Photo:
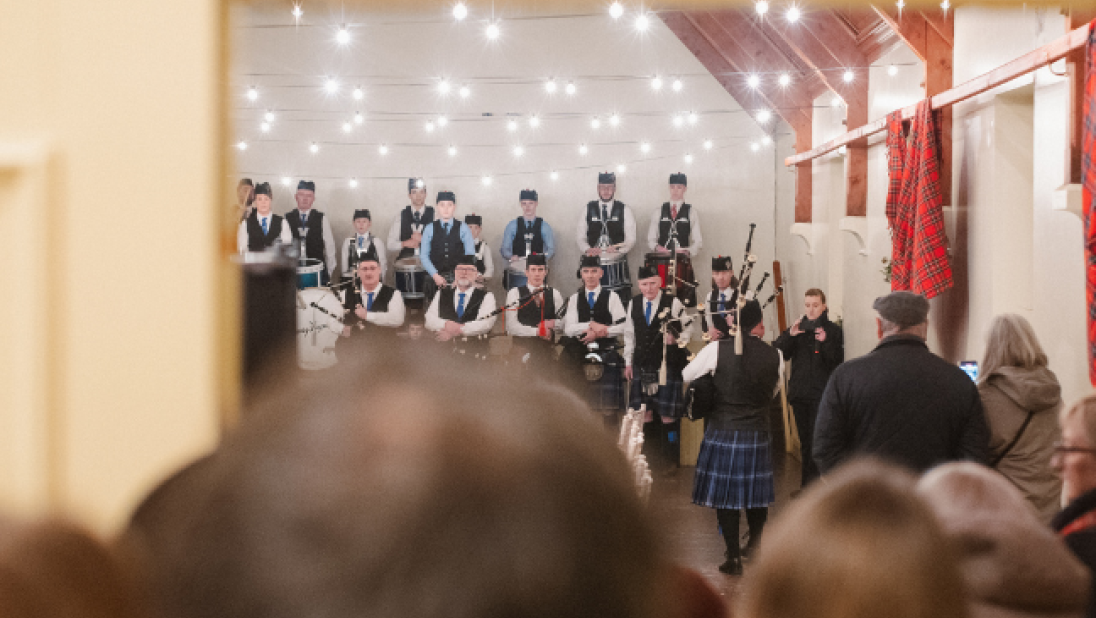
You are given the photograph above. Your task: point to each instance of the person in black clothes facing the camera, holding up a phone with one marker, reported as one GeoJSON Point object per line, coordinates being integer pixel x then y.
{"type": "Point", "coordinates": [816, 347]}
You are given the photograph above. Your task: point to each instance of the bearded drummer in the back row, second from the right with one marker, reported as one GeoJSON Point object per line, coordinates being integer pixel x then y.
{"type": "Point", "coordinates": [608, 231]}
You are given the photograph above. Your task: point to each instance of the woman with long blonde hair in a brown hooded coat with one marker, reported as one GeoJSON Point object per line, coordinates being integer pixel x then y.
{"type": "Point", "coordinates": [1022, 398]}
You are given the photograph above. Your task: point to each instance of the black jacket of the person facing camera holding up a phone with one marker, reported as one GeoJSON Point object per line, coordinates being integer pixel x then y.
{"type": "Point", "coordinates": [812, 361]}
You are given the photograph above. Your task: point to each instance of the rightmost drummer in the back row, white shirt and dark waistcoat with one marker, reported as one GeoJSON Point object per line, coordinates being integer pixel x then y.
{"type": "Point", "coordinates": [676, 230]}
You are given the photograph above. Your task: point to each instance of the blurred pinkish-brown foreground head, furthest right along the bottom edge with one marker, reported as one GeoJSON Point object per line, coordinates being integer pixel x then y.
{"type": "Point", "coordinates": [1011, 563]}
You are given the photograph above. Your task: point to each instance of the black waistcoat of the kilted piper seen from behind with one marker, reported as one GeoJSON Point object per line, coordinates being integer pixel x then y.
{"type": "Point", "coordinates": [745, 385]}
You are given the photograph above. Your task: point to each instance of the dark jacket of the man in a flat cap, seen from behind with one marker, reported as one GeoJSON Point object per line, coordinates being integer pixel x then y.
{"type": "Point", "coordinates": [904, 404]}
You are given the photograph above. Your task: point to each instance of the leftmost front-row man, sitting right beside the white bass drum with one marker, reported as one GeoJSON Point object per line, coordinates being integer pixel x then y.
{"type": "Point", "coordinates": [374, 311]}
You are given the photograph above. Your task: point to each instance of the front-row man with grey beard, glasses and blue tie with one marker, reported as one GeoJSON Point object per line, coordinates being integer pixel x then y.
{"type": "Point", "coordinates": [461, 311]}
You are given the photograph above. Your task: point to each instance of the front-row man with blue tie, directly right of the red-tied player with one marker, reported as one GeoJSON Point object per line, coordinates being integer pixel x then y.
{"type": "Point", "coordinates": [596, 315]}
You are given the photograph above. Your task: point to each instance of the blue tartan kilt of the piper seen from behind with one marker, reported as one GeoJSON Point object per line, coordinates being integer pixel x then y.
{"type": "Point", "coordinates": [735, 471]}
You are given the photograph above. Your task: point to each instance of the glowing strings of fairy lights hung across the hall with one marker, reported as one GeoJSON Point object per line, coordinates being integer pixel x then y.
{"type": "Point", "coordinates": [353, 87]}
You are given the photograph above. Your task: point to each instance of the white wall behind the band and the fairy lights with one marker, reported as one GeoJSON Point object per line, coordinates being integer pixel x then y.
{"type": "Point", "coordinates": [732, 186]}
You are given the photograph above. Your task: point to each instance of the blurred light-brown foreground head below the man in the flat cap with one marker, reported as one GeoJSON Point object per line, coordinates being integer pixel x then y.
{"type": "Point", "coordinates": [860, 545]}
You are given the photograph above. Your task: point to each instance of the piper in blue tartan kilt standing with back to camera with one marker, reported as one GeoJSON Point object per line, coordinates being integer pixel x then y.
{"type": "Point", "coordinates": [735, 470]}
